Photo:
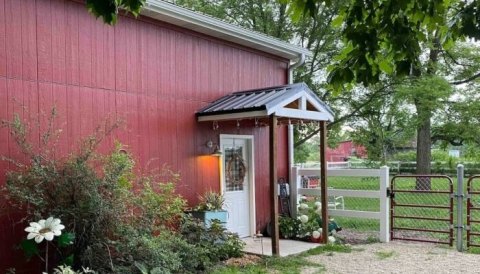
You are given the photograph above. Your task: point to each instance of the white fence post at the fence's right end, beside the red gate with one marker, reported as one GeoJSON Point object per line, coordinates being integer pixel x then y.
{"type": "Point", "coordinates": [384, 205]}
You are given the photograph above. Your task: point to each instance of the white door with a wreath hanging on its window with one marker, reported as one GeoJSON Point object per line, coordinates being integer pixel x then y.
{"type": "Point", "coordinates": [237, 183]}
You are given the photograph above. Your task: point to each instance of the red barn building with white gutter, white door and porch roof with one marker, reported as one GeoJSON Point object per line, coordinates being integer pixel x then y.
{"type": "Point", "coordinates": [156, 72]}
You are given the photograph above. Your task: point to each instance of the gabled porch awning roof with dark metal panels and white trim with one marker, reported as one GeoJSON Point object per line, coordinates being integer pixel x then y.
{"type": "Point", "coordinates": [294, 101]}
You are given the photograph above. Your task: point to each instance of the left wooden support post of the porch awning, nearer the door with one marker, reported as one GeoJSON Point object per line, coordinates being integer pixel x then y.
{"type": "Point", "coordinates": [273, 186]}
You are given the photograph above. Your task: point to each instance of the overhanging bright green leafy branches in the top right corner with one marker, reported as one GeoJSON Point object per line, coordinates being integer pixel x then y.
{"type": "Point", "coordinates": [386, 37]}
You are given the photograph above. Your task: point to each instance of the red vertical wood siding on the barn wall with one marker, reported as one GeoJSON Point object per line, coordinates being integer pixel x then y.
{"type": "Point", "coordinates": [151, 74]}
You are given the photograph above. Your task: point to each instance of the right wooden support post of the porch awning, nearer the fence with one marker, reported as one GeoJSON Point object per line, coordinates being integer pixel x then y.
{"type": "Point", "coordinates": [323, 180]}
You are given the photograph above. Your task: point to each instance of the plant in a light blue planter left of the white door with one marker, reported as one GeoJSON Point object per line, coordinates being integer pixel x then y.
{"type": "Point", "coordinates": [211, 208]}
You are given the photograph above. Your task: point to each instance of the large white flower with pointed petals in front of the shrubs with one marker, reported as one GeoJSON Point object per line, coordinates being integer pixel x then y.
{"type": "Point", "coordinates": [44, 229]}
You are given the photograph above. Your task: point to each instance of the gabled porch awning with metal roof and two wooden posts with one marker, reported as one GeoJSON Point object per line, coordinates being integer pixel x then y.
{"type": "Point", "coordinates": [293, 104]}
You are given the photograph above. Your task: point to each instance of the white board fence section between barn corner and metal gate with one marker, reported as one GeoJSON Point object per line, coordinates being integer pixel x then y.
{"type": "Point", "coordinates": [383, 174]}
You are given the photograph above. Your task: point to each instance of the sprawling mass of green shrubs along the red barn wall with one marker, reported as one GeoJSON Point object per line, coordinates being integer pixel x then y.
{"type": "Point", "coordinates": [123, 223]}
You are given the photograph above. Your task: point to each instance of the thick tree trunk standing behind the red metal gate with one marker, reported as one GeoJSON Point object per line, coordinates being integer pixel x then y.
{"type": "Point", "coordinates": [424, 145]}
